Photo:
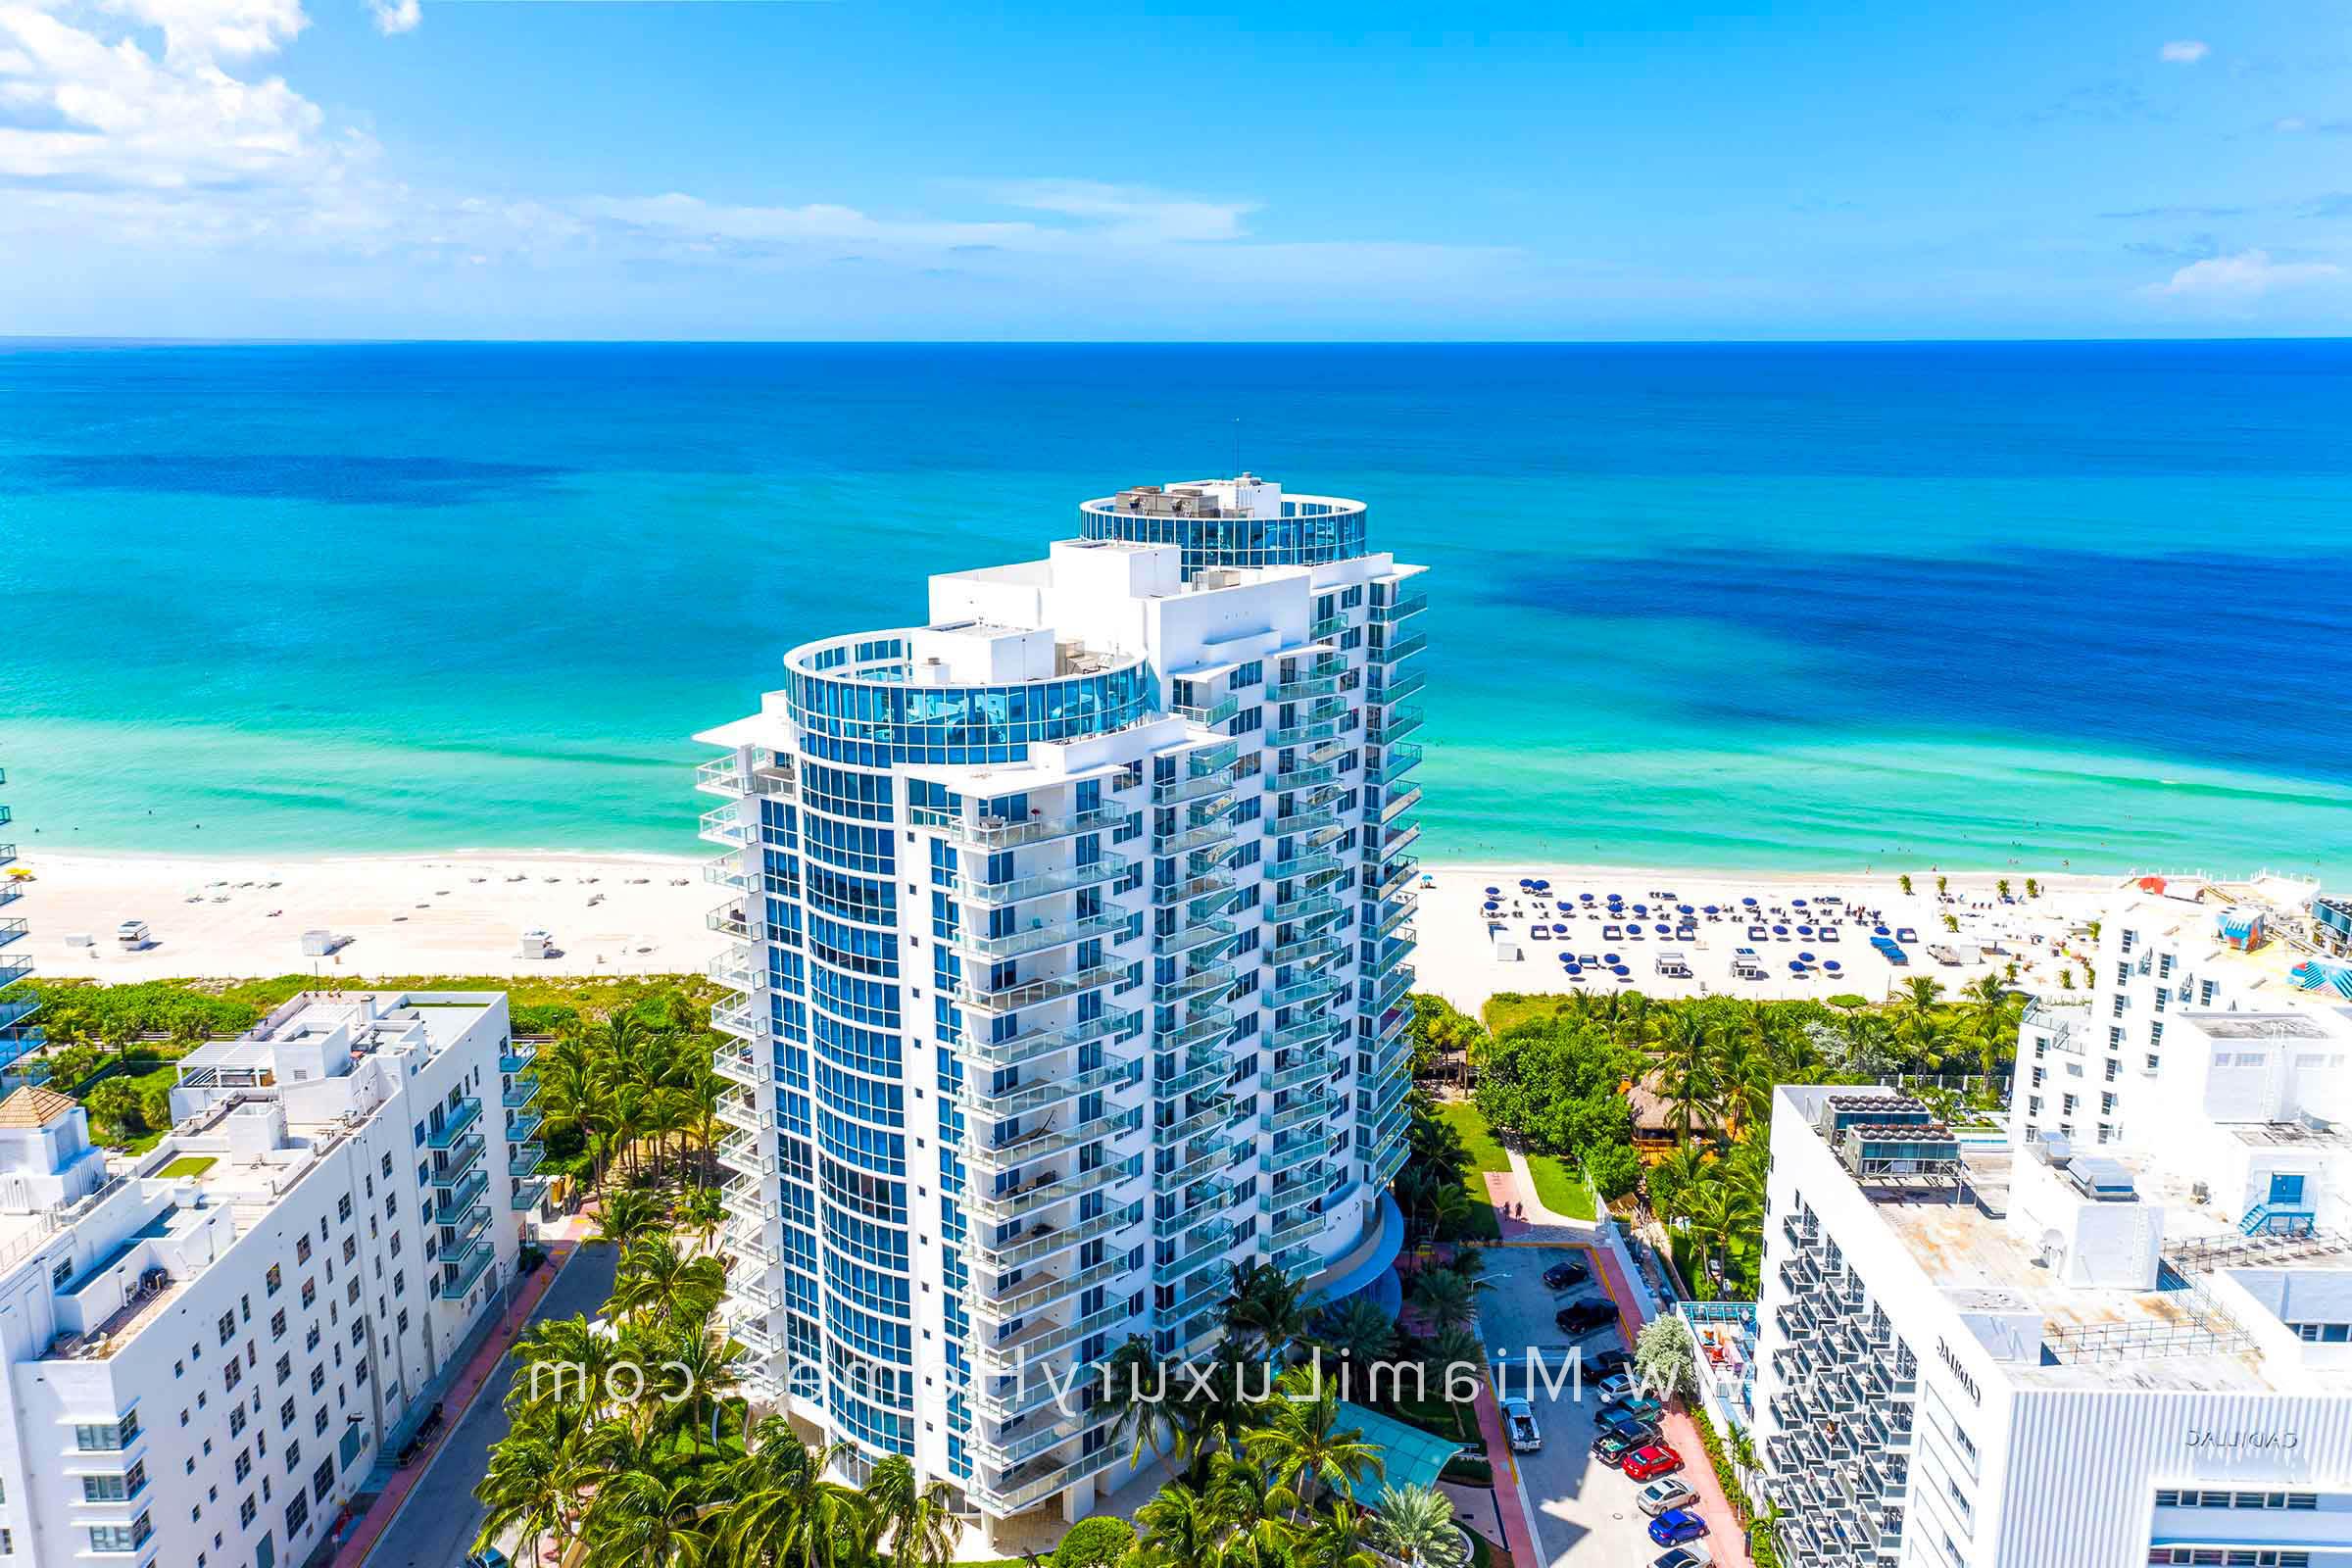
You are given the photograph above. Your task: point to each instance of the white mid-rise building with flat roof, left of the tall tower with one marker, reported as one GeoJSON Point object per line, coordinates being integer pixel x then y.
{"type": "Point", "coordinates": [213, 1343]}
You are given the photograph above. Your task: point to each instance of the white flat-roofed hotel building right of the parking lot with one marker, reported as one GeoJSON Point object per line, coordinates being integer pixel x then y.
{"type": "Point", "coordinates": [2118, 1336]}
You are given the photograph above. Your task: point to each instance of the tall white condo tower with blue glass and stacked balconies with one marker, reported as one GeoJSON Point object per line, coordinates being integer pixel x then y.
{"type": "Point", "coordinates": [1071, 942]}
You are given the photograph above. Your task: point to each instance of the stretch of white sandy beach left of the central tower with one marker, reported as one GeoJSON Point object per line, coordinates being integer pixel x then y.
{"type": "Point", "coordinates": [403, 916]}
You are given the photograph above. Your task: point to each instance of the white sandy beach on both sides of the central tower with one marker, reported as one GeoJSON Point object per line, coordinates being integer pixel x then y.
{"type": "Point", "coordinates": [465, 913]}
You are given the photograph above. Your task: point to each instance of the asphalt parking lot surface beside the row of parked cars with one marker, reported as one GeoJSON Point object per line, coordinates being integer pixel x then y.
{"type": "Point", "coordinates": [1584, 1510]}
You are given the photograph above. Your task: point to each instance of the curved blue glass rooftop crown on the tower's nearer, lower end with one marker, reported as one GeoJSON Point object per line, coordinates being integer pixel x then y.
{"type": "Point", "coordinates": [855, 704]}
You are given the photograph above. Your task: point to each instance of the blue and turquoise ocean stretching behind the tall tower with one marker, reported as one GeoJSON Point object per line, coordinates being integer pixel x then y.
{"type": "Point", "coordinates": [1763, 608]}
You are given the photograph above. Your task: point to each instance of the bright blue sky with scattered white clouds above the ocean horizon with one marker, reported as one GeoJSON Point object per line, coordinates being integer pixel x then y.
{"type": "Point", "coordinates": [740, 168]}
